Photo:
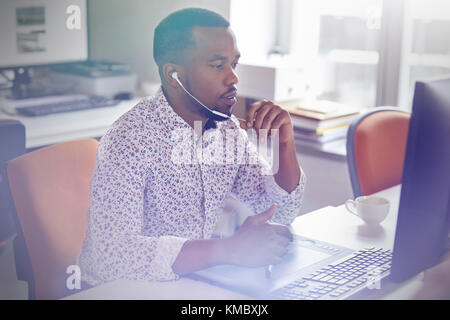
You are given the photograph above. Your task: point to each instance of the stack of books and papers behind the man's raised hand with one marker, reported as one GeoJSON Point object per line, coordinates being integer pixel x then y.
{"type": "Point", "coordinates": [321, 123]}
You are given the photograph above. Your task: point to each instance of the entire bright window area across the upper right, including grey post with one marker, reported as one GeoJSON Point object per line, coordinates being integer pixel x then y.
{"type": "Point", "coordinates": [360, 52]}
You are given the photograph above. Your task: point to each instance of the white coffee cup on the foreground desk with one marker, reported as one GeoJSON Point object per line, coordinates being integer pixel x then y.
{"type": "Point", "coordinates": [372, 210]}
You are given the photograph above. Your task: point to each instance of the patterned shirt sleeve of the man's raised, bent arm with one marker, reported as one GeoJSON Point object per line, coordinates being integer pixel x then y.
{"type": "Point", "coordinates": [255, 185]}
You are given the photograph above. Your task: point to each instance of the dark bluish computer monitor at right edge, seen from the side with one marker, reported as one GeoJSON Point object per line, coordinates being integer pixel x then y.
{"type": "Point", "coordinates": [424, 210]}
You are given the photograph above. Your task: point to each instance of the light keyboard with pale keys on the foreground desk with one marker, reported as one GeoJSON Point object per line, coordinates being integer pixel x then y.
{"type": "Point", "coordinates": [364, 268]}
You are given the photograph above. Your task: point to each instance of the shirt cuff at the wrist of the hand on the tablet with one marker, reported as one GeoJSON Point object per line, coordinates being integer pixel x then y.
{"type": "Point", "coordinates": [166, 252]}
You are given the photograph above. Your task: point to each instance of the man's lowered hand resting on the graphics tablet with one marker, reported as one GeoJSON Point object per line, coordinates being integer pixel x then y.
{"type": "Point", "coordinates": [258, 242]}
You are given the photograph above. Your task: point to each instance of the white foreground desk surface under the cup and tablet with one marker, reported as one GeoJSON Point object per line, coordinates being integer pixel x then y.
{"type": "Point", "coordinates": [331, 224]}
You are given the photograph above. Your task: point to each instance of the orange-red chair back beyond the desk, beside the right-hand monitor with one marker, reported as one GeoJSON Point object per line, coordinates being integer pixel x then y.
{"type": "Point", "coordinates": [376, 144]}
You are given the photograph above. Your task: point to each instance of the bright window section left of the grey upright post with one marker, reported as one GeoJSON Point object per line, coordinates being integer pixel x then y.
{"type": "Point", "coordinates": [344, 48]}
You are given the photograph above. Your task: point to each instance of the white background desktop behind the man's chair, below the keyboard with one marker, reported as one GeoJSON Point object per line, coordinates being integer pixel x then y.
{"type": "Point", "coordinates": [54, 128]}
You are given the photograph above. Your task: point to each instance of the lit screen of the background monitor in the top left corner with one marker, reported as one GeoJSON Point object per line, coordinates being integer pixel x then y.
{"type": "Point", "coordinates": [42, 32]}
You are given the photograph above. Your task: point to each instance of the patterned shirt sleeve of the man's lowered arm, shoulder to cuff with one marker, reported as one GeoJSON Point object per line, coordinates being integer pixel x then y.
{"type": "Point", "coordinates": [115, 246]}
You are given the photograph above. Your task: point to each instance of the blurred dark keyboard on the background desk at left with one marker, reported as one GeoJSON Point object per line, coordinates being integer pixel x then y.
{"type": "Point", "coordinates": [84, 103]}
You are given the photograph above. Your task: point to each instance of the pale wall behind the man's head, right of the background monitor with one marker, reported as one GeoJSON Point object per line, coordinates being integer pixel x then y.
{"type": "Point", "coordinates": [122, 30]}
